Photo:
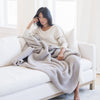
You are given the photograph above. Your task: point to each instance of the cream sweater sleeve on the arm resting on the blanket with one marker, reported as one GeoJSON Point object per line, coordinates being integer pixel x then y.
{"type": "Point", "coordinates": [60, 38]}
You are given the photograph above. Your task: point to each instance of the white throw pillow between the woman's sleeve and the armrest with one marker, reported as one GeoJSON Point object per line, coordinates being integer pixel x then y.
{"type": "Point", "coordinates": [71, 39]}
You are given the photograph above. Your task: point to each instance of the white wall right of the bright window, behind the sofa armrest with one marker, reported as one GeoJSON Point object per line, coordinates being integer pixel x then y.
{"type": "Point", "coordinates": [88, 22]}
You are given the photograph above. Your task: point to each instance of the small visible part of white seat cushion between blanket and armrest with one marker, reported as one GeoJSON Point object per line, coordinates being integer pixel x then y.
{"type": "Point", "coordinates": [85, 64]}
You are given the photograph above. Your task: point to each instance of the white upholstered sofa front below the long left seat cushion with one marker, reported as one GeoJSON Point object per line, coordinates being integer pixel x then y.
{"type": "Point", "coordinates": [35, 93]}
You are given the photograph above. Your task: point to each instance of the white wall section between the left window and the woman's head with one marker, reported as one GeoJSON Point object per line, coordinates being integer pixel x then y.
{"type": "Point", "coordinates": [26, 11]}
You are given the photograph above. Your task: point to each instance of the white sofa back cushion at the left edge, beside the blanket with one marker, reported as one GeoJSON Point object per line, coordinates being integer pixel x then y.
{"type": "Point", "coordinates": [9, 48]}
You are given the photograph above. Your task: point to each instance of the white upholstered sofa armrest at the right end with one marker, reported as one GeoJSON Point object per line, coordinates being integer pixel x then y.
{"type": "Point", "coordinates": [88, 51]}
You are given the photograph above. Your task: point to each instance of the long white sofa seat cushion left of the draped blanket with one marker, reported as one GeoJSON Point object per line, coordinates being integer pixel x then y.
{"type": "Point", "coordinates": [15, 78]}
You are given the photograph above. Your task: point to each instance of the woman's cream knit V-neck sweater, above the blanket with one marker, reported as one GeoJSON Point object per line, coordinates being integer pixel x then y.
{"type": "Point", "coordinates": [53, 36]}
